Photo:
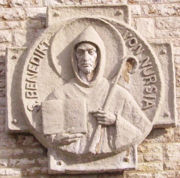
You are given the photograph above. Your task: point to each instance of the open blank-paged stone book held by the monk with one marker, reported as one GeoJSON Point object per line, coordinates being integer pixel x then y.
{"type": "Point", "coordinates": [68, 116]}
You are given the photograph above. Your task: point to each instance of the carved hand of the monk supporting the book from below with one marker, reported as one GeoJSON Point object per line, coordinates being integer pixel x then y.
{"type": "Point", "coordinates": [66, 138]}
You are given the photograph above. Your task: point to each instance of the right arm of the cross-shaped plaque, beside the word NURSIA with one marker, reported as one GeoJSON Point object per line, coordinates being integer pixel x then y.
{"type": "Point", "coordinates": [168, 115]}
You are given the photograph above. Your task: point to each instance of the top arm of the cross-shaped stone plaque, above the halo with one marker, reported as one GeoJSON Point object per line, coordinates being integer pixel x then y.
{"type": "Point", "coordinates": [120, 13]}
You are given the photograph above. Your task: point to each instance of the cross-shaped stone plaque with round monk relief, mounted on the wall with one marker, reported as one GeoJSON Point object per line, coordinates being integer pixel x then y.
{"type": "Point", "coordinates": [91, 90]}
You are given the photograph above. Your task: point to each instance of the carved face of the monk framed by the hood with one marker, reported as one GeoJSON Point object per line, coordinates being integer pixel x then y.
{"type": "Point", "coordinates": [86, 55]}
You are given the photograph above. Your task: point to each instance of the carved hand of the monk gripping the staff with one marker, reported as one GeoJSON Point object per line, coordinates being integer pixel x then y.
{"type": "Point", "coordinates": [104, 117]}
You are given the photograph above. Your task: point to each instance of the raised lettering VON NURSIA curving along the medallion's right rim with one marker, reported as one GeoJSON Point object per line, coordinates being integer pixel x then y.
{"type": "Point", "coordinates": [147, 71]}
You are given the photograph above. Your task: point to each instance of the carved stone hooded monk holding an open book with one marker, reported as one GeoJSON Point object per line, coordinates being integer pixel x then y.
{"type": "Point", "coordinates": [76, 109]}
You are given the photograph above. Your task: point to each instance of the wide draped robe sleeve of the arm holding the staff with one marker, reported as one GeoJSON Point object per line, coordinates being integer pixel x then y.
{"type": "Point", "coordinates": [132, 126]}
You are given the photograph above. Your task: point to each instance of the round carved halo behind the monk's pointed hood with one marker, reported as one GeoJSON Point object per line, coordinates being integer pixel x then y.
{"type": "Point", "coordinates": [62, 45]}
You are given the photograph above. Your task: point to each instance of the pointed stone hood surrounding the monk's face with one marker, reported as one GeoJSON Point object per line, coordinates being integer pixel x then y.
{"type": "Point", "coordinates": [91, 36]}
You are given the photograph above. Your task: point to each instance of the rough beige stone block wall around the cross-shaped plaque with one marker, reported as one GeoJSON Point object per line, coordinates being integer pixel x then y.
{"type": "Point", "coordinates": [21, 21]}
